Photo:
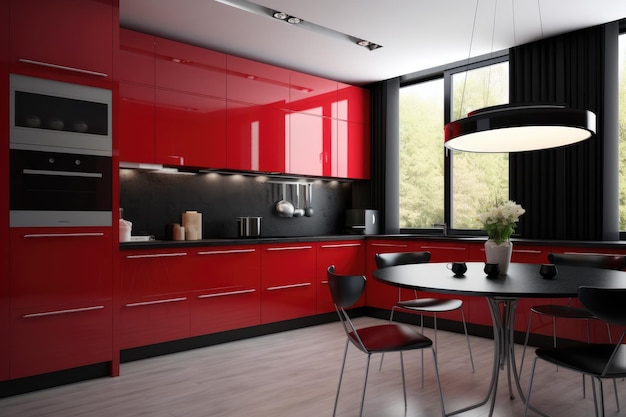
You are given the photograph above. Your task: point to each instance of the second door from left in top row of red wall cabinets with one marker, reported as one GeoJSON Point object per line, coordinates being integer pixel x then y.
{"type": "Point", "coordinates": [189, 68]}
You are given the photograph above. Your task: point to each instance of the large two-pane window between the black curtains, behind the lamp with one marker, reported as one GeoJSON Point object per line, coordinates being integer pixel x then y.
{"type": "Point", "coordinates": [473, 178]}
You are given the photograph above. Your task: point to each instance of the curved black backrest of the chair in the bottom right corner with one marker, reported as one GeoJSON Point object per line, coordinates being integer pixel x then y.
{"type": "Point", "coordinates": [607, 304]}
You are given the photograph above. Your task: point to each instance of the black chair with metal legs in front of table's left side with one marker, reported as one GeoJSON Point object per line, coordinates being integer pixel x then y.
{"type": "Point", "coordinates": [345, 290]}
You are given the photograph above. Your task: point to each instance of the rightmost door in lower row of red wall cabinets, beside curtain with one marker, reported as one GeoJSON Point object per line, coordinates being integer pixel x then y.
{"type": "Point", "coordinates": [352, 150]}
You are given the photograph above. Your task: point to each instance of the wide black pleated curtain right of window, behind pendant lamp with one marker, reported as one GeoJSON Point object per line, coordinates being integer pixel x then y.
{"type": "Point", "coordinates": [569, 193]}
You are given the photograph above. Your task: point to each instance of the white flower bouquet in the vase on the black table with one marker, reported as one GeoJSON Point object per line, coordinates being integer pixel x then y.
{"type": "Point", "coordinates": [500, 219]}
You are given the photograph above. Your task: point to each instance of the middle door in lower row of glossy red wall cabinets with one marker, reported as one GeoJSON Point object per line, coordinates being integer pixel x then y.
{"type": "Point", "coordinates": [257, 138]}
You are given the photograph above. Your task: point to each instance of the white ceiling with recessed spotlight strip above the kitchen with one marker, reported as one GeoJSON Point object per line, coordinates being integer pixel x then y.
{"type": "Point", "coordinates": [415, 34]}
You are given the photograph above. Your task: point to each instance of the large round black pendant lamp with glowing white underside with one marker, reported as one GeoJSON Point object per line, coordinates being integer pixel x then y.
{"type": "Point", "coordinates": [519, 127]}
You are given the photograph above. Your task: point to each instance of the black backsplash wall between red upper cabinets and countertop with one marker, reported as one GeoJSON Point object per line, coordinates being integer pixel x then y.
{"type": "Point", "coordinates": [151, 200]}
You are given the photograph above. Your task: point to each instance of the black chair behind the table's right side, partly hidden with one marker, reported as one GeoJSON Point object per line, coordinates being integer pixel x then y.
{"type": "Point", "coordinates": [557, 311]}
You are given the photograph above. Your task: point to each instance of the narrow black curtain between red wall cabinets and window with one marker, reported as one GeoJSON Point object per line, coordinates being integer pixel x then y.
{"type": "Point", "coordinates": [385, 151]}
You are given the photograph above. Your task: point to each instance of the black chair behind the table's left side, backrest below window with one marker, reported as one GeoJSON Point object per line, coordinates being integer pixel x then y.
{"type": "Point", "coordinates": [421, 305]}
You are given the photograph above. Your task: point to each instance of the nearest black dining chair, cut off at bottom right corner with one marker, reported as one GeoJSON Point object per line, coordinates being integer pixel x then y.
{"type": "Point", "coordinates": [599, 361]}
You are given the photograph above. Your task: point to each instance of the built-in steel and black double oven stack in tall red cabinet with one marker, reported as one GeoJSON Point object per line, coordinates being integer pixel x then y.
{"type": "Point", "coordinates": [60, 154]}
